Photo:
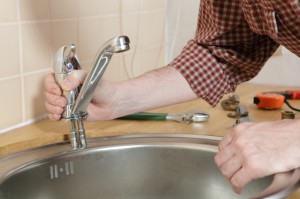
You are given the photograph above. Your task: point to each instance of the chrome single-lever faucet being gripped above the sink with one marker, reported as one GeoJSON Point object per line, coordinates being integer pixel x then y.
{"type": "Point", "coordinates": [78, 99]}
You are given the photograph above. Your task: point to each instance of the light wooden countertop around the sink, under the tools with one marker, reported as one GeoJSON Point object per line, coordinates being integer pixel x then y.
{"type": "Point", "coordinates": [46, 132]}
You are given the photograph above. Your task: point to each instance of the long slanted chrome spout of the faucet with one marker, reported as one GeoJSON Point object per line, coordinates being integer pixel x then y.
{"type": "Point", "coordinates": [103, 57]}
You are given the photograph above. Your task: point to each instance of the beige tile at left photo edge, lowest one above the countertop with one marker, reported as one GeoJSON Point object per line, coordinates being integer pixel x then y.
{"type": "Point", "coordinates": [11, 103]}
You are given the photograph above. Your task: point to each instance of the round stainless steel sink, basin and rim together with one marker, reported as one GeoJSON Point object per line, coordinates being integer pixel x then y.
{"type": "Point", "coordinates": [149, 166]}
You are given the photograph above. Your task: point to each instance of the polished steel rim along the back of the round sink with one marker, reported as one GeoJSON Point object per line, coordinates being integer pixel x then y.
{"type": "Point", "coordinates": [12, 163]}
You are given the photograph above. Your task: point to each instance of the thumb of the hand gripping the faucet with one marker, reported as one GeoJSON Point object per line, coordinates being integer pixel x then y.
{"type": "Point", "coordinates": [73, 80]}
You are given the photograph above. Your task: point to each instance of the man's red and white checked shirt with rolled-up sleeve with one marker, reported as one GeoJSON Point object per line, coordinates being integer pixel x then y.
{"type": "Point", "coordinates": [234, 39]}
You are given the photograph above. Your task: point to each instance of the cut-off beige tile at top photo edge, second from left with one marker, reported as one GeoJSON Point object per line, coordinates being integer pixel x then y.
{"type": "Point", "coordinates": [34, 10]}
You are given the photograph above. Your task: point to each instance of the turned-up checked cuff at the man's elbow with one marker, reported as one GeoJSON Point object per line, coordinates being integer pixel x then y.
{"type": "Point", "coordinates": [205, 75]}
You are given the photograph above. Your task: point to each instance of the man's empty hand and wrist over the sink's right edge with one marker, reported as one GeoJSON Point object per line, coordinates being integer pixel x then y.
{"type": "Point", "coordinates": [255, 150]}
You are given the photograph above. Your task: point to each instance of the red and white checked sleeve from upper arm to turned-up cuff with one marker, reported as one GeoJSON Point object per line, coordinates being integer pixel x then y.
{"type": "Point", "coordinates": [224, 52]}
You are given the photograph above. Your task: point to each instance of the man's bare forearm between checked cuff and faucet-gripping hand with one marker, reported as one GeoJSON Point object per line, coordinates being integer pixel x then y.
{"type": "Point", "coordinates": [157, 88]}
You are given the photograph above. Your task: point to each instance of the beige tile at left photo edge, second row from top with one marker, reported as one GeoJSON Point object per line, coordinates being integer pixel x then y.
{"type": "Point", "coordinates": [9, 51]}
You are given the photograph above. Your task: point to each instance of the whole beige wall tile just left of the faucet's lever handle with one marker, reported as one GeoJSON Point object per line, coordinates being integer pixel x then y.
{"type": "Point", "coordinates": [36, 46]}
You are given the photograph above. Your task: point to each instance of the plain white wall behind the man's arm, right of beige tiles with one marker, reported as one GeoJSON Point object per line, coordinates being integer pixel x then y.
{"type": "Point", "coordinates": [181, 21]}
